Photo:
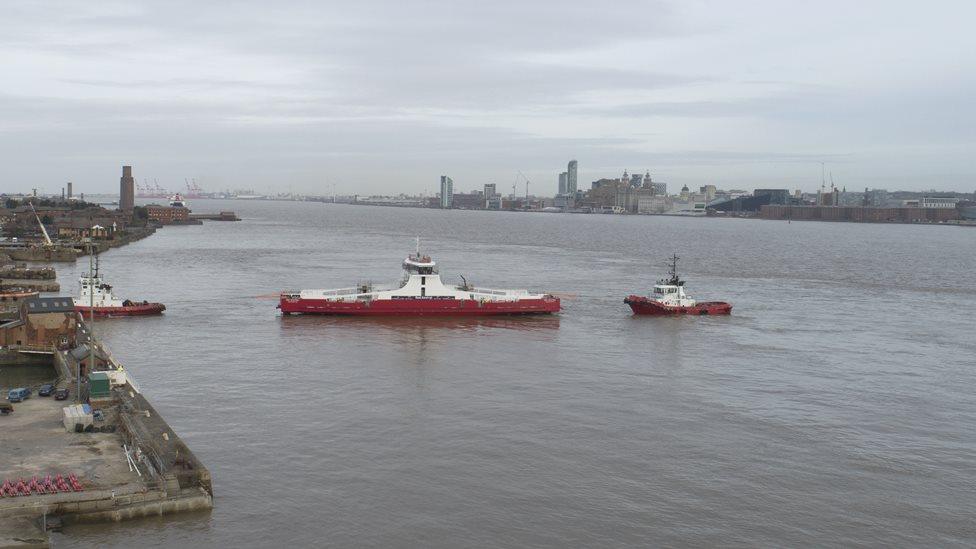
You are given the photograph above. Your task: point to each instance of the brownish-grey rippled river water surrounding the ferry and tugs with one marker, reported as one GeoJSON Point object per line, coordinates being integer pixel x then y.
{"type": "Point", "coordinates": [834, 407]}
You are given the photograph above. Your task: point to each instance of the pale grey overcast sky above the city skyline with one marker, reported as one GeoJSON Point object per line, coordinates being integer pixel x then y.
{"type": "Point", "coordinates": [385, 96]}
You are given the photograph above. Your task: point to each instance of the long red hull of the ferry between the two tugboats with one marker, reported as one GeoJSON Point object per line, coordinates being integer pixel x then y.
{"type": "Point", "coordinates": [419, 307]}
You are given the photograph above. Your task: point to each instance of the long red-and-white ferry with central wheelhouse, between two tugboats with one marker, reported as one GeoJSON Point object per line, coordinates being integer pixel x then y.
{"type": "Point", "coordinates": [420, 293]}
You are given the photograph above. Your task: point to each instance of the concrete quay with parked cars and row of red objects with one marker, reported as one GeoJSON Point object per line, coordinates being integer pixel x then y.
{"type": "Point", "coordinates": [163, 477]}
